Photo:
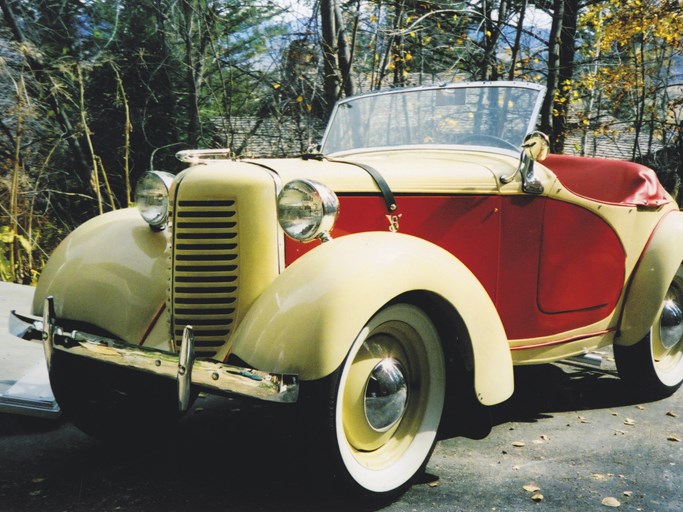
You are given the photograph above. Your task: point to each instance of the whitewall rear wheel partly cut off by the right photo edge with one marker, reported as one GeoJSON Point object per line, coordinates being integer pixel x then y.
{"type": "Point", "coordinates": [654, 365]}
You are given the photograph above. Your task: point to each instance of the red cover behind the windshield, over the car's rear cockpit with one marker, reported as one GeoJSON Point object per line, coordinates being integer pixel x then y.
{"type": "Point", "coordinates": [608, 181]}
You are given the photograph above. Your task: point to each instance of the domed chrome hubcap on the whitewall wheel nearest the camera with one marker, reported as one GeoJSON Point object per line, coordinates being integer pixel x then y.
{"type": "Point", "coordinates": [386, 395]}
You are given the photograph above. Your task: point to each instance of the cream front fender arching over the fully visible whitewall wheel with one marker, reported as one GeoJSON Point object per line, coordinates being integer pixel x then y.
{"type": "Point", "coordinates": [307, 320]}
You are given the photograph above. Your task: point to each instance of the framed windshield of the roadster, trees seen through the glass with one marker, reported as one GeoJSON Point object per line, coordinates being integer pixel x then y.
{"type": "Point", "coordinates": [493, 114]}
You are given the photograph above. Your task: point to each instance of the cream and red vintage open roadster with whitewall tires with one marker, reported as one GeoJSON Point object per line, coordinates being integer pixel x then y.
{"type": "Point", "coordinates": [429, 243]}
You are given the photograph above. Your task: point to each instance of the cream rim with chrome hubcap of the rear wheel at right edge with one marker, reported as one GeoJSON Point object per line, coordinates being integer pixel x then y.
{"type": "Point", "coordinates": [667, 346]}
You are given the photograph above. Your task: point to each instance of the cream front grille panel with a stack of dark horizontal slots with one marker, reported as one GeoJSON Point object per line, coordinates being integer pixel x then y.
{"type": "Point", "coordinates": [205, 271]}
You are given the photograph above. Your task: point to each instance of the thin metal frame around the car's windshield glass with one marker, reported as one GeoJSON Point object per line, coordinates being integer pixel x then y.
{"type": "Point", "coordinates": [539, 89]}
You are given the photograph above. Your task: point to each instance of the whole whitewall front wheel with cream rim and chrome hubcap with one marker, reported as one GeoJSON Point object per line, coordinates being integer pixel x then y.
{"type": "Point", "coordinates": [384, 403]}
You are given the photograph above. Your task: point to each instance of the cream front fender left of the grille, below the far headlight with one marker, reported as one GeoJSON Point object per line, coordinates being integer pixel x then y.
{"type": "Point", "coordinates": [111, 272]}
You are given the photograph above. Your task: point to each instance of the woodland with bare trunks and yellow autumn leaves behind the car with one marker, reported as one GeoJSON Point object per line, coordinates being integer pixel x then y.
{"type": "Point", "coordinates": [95, 92]}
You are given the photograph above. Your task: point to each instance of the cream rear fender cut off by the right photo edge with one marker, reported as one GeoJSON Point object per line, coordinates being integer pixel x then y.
{"type": "Point", "coordinates": [651, 279]}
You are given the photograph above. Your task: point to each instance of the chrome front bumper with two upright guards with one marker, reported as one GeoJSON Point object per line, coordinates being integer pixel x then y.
{"type": "Point", "coordinates": [183, 367]}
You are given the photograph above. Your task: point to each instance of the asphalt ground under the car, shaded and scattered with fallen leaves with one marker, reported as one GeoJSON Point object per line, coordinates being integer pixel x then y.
{"type": "Point", "coordinates": [571, 432]}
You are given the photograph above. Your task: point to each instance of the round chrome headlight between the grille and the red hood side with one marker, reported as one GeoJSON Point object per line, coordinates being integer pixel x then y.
{"type": "Point", "coordinates": [307, 210]}
